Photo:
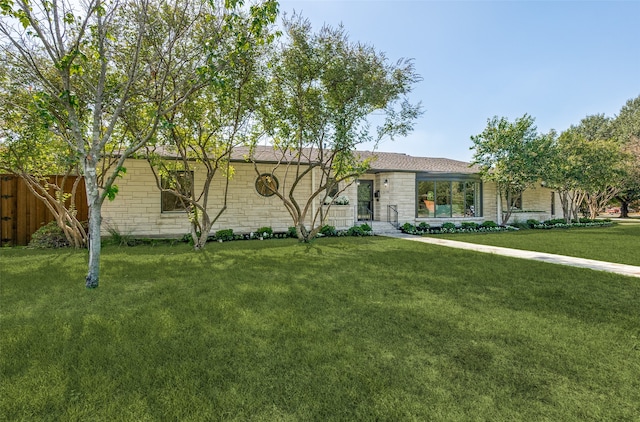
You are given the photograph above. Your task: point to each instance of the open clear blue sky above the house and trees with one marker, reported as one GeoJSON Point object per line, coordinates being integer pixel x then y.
{"type": "Point", "coordinates": [558, 61]}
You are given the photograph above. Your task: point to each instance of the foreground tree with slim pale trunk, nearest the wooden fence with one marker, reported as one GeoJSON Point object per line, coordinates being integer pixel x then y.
{"type": "Point", "coordinates": [90, 62]}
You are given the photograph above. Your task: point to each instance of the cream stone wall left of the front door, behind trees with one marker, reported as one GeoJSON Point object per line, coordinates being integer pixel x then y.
{"type": "Point", "coordinates": [136, 209]}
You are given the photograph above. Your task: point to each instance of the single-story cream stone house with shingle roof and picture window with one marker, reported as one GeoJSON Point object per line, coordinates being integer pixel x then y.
{"type": "Point", "coordinates": [398, 188]}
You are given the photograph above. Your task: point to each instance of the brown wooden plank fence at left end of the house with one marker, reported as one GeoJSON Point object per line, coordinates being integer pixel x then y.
{"type": "Point", "coordinates": [21, 213]}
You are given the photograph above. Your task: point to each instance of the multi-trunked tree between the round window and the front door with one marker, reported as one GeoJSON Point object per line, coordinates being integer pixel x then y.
{"type": "Point", "coordinates": [324, 90]}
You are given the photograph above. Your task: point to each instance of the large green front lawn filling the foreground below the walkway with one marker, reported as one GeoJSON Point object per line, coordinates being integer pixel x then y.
{"type": "Point", "coordinates": [345, 329]}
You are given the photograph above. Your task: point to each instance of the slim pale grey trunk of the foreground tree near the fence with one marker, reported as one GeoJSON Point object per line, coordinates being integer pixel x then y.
{"type": "Point", "coordinates": [95, 220]}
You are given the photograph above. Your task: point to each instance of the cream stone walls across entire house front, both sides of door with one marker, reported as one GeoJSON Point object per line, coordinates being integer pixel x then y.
{"type": "Point", "coordinates": [137, 207]}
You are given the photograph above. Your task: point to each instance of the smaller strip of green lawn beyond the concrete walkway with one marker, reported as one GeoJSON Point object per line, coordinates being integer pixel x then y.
{"type": "Point", "coordinates": [618, 243]}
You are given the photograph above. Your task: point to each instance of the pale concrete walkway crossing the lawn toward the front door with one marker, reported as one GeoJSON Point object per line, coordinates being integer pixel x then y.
{"type": "Point", "coordinates": [628, 270]}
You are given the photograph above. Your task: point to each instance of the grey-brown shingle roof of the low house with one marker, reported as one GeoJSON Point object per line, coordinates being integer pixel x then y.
{"type": "Point", "coordinates": [381, 162]}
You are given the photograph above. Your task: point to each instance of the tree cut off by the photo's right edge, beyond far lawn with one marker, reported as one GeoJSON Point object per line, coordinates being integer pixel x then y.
{"type": "Point", "coordinates": [627, 132]}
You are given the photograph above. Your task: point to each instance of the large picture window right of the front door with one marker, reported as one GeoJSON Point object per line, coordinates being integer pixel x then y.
{"type": "Point", "coordinates": [448, 198]}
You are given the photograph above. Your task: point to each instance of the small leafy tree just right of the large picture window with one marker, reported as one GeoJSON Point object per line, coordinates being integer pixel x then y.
{"type": "Point", "coordinates": [512, 155]}
